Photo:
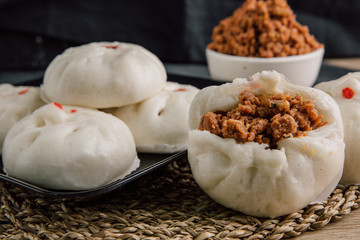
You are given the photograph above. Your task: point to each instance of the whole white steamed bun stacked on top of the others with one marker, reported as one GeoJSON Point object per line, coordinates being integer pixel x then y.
{"type": "Point", "coordinates": [103, 75]}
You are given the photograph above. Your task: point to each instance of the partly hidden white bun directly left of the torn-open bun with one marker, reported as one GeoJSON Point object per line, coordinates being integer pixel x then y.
{"type": "Point", "coordinates": [160, 123]}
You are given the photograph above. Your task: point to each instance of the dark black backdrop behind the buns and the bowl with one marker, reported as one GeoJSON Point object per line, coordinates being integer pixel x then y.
{"type": "Point", "coordinates": [33, 32]}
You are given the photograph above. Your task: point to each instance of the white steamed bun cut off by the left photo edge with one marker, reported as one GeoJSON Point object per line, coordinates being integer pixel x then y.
{"type": "Point", "coordinates": [16, 102]}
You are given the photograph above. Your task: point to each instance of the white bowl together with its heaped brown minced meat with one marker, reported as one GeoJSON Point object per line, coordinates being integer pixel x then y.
{"type": "Point", "coordinates": [264, 35]}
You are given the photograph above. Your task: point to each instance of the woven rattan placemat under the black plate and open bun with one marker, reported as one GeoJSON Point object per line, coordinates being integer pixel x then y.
{"type": "Point", "coordinates": [166, 204]}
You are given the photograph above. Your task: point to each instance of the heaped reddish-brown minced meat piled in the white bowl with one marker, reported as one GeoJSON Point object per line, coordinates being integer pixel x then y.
{"type": "Point", "coordinates": [263, 28]}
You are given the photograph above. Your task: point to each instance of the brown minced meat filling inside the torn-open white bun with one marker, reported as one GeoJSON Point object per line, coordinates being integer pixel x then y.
{"type": "Point", "coordinates": [264, 119]}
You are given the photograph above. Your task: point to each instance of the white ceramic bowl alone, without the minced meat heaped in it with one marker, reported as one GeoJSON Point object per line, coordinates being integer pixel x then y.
{"type": "Point", "coordinates": [300, 69]}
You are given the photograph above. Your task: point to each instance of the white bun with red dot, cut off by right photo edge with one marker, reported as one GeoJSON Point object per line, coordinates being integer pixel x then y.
{"type": "Point", "coordinates": [350, 110]}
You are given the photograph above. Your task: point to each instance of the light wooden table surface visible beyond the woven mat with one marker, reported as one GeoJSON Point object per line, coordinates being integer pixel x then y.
{"type": "Point", "coordinates": [348, 228]}
